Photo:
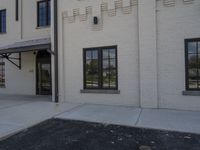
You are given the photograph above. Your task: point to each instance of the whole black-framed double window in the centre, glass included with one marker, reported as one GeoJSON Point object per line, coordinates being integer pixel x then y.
{"type": "Point", "coordinates": [100, 68]}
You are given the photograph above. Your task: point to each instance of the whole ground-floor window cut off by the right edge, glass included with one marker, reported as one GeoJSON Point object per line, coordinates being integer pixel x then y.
{"type": "Point", "coordinates": [192, 48]}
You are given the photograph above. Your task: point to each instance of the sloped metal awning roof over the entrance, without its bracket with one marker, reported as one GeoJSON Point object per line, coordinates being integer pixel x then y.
{"type": "Point", "coordinates": [25, 46]}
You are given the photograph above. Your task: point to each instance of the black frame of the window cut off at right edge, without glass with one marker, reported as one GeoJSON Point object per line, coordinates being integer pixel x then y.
{"type": "Point", "coordinates": [187, 64]}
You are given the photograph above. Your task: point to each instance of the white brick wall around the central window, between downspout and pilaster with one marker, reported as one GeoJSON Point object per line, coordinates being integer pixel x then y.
{"type": "Point", "coordinates": [119, 29]}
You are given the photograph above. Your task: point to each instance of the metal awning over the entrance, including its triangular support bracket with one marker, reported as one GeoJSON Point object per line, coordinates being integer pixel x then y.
{"type": "Point", "coordinates": [24, 46]}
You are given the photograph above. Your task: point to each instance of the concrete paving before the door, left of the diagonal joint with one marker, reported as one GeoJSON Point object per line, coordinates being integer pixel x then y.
{"type": "Point", "coordinates": [20, 112]}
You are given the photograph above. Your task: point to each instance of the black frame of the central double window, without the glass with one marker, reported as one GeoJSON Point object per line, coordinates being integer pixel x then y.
{"type": "Point", "coordinates": [100, 67]}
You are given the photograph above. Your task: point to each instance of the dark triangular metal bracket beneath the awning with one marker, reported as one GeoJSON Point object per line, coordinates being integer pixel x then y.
{"type": "Point", "coordinates": [10, 59]}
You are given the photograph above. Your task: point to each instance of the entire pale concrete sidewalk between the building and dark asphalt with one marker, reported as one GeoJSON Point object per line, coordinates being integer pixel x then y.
{"type": "Point", "coordinates": [20, 112]}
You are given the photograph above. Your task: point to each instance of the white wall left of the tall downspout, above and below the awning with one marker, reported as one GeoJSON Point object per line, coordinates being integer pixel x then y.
{"type": "Point", "coordinates": [20, 24]}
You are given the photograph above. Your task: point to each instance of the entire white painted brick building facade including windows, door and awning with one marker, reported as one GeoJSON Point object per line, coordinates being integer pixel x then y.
{"type": "Point", "coordinates": [142, 53]}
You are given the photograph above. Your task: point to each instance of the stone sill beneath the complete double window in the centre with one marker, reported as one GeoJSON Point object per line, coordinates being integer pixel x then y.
{"type": "Point", "coordinates": [100, 91]}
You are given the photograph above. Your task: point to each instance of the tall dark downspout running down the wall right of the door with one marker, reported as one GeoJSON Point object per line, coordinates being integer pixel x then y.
{"type": "Point", "coordinates": [56, 49]}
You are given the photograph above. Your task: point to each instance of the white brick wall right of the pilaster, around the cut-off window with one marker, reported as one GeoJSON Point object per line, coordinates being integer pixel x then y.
{"type": "Point", "coordinates": [174, 24]}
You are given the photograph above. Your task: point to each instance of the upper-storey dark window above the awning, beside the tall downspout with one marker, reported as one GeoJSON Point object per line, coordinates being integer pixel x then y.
{"type": "Point", "coordinates": [44, 13]}
